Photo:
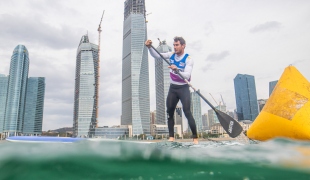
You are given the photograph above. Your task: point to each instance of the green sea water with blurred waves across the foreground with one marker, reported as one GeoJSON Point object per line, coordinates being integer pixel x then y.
{"type": "Point", "coordinates": [120, 160]}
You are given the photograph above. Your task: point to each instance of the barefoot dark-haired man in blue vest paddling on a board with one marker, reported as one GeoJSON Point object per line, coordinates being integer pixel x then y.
{"type": "Point", "coordinates": [179, 89]}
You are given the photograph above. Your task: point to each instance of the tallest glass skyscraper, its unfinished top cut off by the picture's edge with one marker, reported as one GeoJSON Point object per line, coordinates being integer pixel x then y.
{"type": "Point", "coordinates": [135, 69]}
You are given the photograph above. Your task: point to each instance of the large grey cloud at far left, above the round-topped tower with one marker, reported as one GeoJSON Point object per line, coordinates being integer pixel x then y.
{"type": "Point", "coordinates": [15, 29]}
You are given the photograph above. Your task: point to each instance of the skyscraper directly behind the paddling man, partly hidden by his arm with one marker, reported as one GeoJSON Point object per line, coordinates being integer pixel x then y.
{"type": "Point", "coordinates": [162, 83]}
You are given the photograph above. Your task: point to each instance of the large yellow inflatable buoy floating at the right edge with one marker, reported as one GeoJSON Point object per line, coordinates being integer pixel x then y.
{"type": "Point", "coordinates": [287, 111]}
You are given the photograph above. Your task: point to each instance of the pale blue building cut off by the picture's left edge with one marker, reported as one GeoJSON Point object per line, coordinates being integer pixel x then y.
{"type": "Point", "coordinates": [3, 94]}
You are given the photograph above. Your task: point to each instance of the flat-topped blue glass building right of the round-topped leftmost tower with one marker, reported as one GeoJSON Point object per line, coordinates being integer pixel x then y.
{"type": "Point", "coordinates": [33, 118]}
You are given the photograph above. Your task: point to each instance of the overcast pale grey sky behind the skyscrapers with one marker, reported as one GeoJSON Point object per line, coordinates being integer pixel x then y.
{"type": "Point", "coordinates": [224, 38]}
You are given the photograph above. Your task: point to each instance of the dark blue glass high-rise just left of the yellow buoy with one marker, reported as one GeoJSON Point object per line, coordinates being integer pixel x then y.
{"type": "Point", "coordinates": [246, 98]}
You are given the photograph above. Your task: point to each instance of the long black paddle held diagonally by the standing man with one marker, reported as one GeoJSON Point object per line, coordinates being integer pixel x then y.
{"type": "Point", "coordinates": [230, 125]}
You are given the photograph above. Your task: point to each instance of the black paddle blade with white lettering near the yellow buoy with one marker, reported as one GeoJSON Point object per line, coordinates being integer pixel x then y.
{"type": "Point", "coordinates": [230, 125]}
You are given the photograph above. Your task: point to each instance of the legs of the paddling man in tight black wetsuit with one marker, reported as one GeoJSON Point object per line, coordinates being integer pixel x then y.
{"type": "Point", "coordinates": [176, 93]}
